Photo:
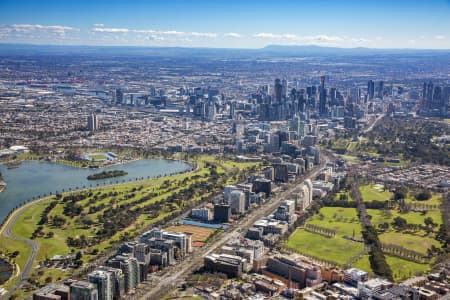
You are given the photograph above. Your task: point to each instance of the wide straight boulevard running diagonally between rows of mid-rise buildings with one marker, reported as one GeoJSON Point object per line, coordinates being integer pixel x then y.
{"type": "Point", "coordinates": [195, 260]}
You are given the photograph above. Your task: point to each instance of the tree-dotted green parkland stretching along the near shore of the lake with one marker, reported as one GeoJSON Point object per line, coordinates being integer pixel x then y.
{"type": "Point", "coordinates": [162, 189]}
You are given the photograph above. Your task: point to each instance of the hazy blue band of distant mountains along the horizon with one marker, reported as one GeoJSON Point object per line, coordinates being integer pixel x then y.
{"type": "Point", "coordinates": [214, 53]}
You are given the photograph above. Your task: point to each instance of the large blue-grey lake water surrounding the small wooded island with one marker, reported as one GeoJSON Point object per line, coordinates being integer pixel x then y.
{"type": "Point", "coordinates": [34, 179]}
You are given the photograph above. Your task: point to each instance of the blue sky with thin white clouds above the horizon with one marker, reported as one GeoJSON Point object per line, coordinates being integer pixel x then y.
{"type": "Point", "coordinates": [421, 24]}
